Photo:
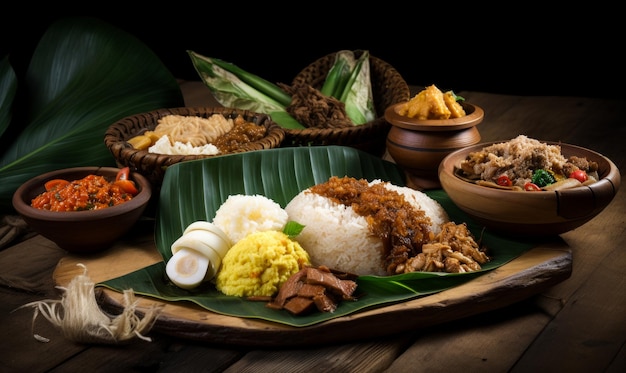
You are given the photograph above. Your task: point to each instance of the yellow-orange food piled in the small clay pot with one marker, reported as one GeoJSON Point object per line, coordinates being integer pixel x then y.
{"type": "Point", "coordinates": [432, 103]}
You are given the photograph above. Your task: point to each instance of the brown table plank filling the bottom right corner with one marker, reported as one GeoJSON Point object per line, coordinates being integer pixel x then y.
{"type": "Point", "coordinates": [591, 329]}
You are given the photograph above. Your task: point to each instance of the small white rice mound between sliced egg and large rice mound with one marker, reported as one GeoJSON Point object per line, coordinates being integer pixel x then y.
{"type": "Point", "coordinates": [241, 215]}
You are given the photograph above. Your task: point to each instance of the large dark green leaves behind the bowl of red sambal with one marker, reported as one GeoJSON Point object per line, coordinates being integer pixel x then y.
{"type": "Point", "coordinates": [83, 76]}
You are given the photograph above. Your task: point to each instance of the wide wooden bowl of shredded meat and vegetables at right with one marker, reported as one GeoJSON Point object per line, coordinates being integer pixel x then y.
{"type": "Point", "coordinates": [511, 192]}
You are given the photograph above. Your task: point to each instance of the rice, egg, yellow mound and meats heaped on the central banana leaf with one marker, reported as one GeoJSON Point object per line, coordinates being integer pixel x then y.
{"type": "Point", "coordinates": [377, 229]}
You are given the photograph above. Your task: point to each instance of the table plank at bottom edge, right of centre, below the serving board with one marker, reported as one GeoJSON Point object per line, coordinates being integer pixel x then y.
{"type": "Point", "coordinates": [490, 342]}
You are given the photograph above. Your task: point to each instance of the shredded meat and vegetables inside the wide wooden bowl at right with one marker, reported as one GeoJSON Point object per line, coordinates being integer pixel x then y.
{"type": "Point", "coordinates": [527, 164]}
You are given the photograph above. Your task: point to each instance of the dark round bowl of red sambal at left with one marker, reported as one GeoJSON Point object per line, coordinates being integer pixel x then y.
{"type": "Point", "coordinates": [88, 222]}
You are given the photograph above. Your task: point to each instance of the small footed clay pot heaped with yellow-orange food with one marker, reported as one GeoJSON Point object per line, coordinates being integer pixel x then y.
{"type": "Point", "coordinates": [425, 129]}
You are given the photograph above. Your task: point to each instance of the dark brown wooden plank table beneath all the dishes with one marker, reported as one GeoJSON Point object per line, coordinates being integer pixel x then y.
{"type": "Point", "coordinates": [577, 325]}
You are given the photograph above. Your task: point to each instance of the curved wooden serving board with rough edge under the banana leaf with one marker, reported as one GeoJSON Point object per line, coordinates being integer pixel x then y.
{"type": "Point", "coordinates": [529, 274]}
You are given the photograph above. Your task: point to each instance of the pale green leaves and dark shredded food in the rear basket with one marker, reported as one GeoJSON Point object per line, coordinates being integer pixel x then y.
{"type": "Point", "coordinates": [345, 98]}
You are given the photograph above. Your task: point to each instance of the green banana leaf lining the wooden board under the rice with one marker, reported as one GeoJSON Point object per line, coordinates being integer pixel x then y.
{"type": "Point", "coordinates": [195, 190]}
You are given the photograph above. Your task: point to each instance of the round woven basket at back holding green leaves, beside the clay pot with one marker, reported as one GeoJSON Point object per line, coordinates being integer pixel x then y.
{"type": "Point", "coordinates": [388, 87]}
